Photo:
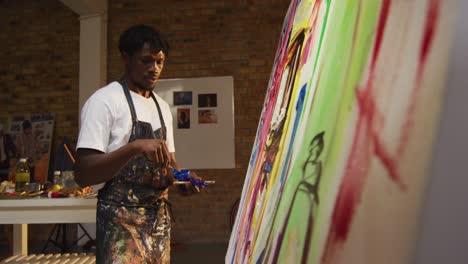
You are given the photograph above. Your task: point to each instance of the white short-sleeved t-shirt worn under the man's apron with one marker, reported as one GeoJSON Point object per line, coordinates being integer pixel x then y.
{"type": "Point", "coordinates": [106, 121]}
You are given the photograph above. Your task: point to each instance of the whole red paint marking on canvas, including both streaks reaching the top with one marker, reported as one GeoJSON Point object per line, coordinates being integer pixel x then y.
{"type": "Point", "coordinates": [367, 139]}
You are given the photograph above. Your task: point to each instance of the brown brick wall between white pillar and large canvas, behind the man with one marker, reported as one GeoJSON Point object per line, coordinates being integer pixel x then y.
{"type": "Point", "coordinates": [211, 38]}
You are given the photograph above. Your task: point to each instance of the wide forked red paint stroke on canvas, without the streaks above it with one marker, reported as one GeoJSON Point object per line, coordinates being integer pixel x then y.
{"type": "Point", "coordinates": [365, 143]}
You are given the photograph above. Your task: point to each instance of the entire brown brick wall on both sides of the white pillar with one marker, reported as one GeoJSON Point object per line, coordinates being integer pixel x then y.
{"type": "Point", "coordinates": [39, 72]}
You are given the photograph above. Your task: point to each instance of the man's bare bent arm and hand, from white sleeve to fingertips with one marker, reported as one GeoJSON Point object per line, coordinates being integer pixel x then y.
{"type": "Point", "coordinates": [94, 167]}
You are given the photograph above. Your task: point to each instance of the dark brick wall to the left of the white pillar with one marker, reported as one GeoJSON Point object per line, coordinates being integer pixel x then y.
{"type": "Point", "coordinates": [39, 45]}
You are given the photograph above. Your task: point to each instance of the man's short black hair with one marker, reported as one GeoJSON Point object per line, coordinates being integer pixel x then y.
{"type": "Point", "coordinates": [136, 36]}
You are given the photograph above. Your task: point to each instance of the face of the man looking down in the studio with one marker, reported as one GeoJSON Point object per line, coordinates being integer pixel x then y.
{"type": "Point", "coordinates": [144, 67]}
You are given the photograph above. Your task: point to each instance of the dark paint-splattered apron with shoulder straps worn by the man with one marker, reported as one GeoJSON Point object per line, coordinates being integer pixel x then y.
{"type": "Point", "coordinates": [133, 220]}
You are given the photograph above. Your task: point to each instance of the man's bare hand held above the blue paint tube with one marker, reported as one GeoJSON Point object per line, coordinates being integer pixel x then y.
{"type": "Point", "coordinates": [153, 149]}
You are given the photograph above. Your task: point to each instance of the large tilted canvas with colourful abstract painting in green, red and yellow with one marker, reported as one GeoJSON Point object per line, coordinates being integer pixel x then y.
{"type": "Point", "coordinates": [340, 159]}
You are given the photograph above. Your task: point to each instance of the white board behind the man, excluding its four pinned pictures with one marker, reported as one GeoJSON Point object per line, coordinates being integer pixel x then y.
{"type": "Point", "coordinates": [217, 139]}
